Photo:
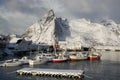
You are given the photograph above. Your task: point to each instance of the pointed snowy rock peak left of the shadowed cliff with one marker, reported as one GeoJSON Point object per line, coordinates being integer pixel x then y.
{"type": "Point", "coordinates": [43, 30]}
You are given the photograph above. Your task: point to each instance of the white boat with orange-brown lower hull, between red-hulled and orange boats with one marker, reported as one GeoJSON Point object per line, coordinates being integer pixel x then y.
{"type": "Point", "coordinates": [78, 56]}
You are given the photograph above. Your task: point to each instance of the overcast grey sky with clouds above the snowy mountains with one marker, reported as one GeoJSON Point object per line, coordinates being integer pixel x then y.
{"type": "Point", "coordinates": [17, 15]}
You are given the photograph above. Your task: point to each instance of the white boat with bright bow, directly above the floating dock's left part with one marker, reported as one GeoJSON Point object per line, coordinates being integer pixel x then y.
{"type": "Point", "coordinates": [38, 60]}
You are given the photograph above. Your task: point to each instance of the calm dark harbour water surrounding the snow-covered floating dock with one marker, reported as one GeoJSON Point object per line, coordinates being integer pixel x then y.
{"type": "Point", "coordinates": [108, 68]}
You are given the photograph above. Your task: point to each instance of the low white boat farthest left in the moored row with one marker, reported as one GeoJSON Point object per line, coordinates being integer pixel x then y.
{"type": "Point", "coordinates": [10, 63]}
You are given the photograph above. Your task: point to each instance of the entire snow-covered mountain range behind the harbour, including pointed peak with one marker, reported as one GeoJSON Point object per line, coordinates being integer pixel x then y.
{"type": "Point", "coordinates": [74, 32]}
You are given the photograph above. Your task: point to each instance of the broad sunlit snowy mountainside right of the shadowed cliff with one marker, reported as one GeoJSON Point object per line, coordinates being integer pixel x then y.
{"type": "Point", "coordinates": [94, 33]}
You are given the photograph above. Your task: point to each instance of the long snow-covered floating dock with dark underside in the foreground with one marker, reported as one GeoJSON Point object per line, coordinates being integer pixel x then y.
{"type": "Point", "coordinates": [51, 72]}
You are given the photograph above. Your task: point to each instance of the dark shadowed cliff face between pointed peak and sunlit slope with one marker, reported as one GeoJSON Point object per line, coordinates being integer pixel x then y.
{"type": "Point", "coordinates": [62, 29]}
